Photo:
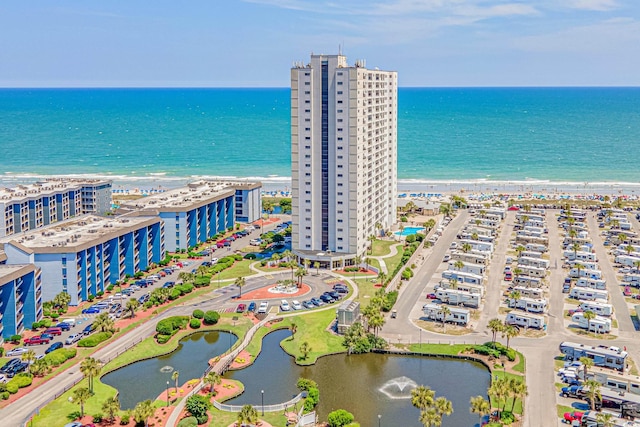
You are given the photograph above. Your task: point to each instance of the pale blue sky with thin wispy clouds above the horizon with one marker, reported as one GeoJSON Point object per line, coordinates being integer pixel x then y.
{"type": "Point", "coordinates": [222, 43]}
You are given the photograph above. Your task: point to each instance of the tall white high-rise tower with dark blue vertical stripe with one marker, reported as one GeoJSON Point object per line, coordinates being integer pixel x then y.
{"type": "Point", "coordinates": [344, 157]}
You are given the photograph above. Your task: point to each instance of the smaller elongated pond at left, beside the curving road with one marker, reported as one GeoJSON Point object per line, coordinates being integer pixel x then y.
{"type": "Point", "coordinates": [148, 378]}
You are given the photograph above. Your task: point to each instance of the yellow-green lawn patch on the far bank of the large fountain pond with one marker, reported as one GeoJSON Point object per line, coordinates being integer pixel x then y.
{"type": "Point", "coordinates": [312, 329]}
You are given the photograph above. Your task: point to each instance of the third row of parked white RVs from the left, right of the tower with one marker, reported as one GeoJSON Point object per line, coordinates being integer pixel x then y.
{"type": "Point", "coordinates": [584, 281]}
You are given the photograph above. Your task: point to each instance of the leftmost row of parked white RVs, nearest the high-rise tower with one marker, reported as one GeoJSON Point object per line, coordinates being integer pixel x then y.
{"type": "Point", "coordinates": [463, 281]}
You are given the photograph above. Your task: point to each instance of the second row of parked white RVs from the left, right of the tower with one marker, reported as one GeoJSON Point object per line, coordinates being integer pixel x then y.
{"type": "Point", "coordinates": [526, 296]}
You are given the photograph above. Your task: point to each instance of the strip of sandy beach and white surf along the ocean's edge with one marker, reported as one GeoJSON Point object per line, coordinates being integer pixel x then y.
{"type": "Point", "coordinates": [153, 183]}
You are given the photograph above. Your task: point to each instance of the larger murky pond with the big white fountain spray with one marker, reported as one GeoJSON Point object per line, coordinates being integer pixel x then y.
{"type": "Point", "coordinates": [366, 385]}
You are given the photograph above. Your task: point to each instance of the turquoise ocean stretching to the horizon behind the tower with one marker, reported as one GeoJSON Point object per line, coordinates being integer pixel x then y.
{"type": "Point", "coordinates": [581, 137]}
